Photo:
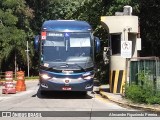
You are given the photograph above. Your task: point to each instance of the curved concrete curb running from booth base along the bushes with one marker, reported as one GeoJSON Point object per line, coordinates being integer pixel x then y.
{"type": "Point", "coordinates": [137, 106]}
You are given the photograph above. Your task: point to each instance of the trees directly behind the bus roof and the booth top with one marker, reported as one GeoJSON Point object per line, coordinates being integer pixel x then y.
{"type": "Point", "coordinates": [87, 10]}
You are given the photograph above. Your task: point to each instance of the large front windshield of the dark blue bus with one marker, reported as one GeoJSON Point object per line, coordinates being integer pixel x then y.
{"type": "Point", "coordinates": [67, 47]}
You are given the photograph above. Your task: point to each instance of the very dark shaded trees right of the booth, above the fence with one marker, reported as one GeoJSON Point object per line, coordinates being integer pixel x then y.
{"type": "Point", "coordinates": [149, 24]}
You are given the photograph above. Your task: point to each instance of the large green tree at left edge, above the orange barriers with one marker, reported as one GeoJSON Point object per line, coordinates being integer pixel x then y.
{"type": "Point", "coordinates": [15, 30]}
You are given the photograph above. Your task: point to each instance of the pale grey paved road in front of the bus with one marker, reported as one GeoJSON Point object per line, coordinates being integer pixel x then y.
{"type": "Point", "coordinates": [31, 103]}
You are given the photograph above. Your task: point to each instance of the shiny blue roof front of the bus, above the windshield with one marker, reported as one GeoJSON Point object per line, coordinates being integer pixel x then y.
{"type": "Point", "coordinates": [66, 25]}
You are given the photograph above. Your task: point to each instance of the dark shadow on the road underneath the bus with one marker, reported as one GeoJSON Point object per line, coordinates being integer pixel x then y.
{"type": "Point", "coordinates": [62, 95]}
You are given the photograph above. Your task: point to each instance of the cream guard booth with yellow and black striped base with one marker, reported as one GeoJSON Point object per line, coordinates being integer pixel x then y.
{"type": "Point", "coordinates": [123, 44]}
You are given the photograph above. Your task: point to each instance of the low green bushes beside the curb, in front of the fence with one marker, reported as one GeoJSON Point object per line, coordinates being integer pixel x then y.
{"type": "Point", "coordinates": [144, 92]}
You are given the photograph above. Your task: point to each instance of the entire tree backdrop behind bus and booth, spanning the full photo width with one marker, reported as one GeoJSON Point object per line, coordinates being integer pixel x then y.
{"type": "Point", "coordinates": [27, 16]}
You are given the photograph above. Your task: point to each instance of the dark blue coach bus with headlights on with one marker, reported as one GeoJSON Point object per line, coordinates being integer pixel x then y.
{"type": "Point", "coordinates": [66, 49]}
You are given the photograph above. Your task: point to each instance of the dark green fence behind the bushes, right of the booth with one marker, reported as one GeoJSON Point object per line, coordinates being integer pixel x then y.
{"type": "Point", "coordinates": [143, 68]}
